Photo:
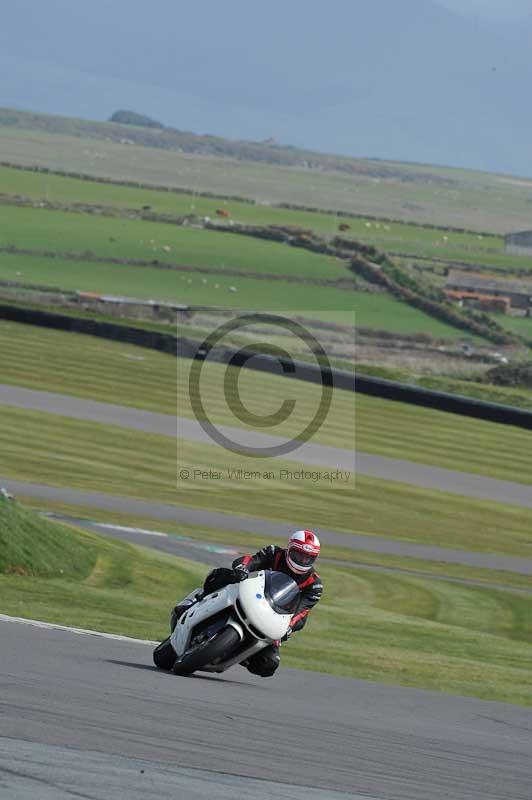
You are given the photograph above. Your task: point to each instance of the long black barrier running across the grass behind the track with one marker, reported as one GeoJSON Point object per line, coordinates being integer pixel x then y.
{"type": "Point", "coordinates": [340, 379]}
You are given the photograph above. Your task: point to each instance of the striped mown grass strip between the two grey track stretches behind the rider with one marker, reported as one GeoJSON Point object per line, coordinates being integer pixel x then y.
{"type": "Point", "coordinates": [65, 452]}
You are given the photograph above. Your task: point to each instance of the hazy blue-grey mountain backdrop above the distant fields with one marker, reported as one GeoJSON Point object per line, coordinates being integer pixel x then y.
{"type": "Point", "coordinates": [403, 81]}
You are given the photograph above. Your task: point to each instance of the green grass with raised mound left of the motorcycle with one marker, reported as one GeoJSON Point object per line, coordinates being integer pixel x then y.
{"type": "Point", "coordinates": [117, 588]}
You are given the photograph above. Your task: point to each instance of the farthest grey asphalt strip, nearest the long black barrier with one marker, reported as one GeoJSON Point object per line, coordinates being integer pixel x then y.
{"type": "Point", "coordinates": [392, 469]}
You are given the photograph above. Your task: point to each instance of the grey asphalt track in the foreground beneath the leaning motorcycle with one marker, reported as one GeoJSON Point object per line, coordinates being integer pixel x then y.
{"type": "Point", "coordinates": [83, 716]}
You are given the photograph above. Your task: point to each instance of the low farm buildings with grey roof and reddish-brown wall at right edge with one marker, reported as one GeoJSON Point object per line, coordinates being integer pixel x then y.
{"type": "Point", "coordinates": [489, 294]}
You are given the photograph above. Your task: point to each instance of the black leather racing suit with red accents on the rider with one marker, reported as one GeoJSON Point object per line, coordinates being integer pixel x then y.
{"type": "Point", "coordinates": [266, 661]}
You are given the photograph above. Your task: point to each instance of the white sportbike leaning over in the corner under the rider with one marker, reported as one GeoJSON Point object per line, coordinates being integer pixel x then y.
{"type": "Point", "coordinates": [230, 625]}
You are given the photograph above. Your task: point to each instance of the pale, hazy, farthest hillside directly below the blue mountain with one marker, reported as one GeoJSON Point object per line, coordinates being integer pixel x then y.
{"type": "Point", "coordinates": [170, 158]}
